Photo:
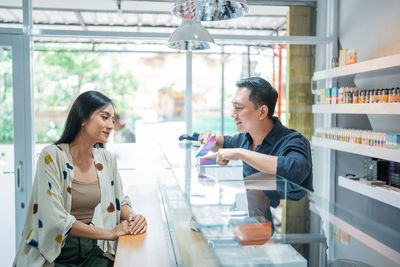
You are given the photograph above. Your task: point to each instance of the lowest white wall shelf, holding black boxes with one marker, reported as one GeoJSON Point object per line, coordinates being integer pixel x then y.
{"type": "Point", "coordinates": [382, 194]}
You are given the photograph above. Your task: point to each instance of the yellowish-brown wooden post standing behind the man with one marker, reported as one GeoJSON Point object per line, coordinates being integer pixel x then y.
{"type": "Point", "coordinates": [299, 100]}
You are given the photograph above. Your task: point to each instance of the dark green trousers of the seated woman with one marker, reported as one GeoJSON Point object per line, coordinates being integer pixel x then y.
{"type": "Point", "coordinates": [79, 251]}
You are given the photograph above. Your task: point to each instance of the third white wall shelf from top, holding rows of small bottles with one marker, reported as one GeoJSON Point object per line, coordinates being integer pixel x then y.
{"type": "Point", "coordinates": [370, 151]}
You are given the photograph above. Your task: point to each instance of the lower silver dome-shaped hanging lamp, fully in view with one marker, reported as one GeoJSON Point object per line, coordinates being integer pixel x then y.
{"type": "Point", "coordinates": [190, 35]}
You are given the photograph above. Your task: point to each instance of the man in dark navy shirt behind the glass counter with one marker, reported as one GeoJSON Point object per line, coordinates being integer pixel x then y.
{"type": "Point", "coordinates": [263, 143]}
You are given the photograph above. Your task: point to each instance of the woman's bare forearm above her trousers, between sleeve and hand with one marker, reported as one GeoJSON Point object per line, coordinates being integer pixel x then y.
{"type": "Point", "coordinates": [81, 229]}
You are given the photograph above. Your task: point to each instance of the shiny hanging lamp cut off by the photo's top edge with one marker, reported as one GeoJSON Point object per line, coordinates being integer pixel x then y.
{"type": "Point", "coordinates": [210, 10]}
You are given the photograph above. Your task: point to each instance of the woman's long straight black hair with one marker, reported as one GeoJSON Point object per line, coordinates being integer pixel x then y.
{"type": "Point", "coordinates": [81, 110]}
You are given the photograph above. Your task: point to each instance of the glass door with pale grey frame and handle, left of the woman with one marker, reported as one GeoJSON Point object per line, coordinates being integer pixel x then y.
{"type": "Point", "coordinates": [15, 145]}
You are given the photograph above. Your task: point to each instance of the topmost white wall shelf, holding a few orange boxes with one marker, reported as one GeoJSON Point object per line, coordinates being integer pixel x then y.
{"type": "Point", "coordinates": [390, 64]}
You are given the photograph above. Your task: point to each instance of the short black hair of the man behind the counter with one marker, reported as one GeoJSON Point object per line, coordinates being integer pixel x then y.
{"type": "Point", "coordinates": [262, 93]}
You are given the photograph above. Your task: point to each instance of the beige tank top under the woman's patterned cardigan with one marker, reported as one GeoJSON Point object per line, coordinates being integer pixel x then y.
{"type": "Point", "coordinates": [85, 197]}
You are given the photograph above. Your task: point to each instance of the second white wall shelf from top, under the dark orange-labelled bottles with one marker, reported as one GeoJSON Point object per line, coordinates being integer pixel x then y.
{"type": "Point", "coordinates": [375, 108]}
